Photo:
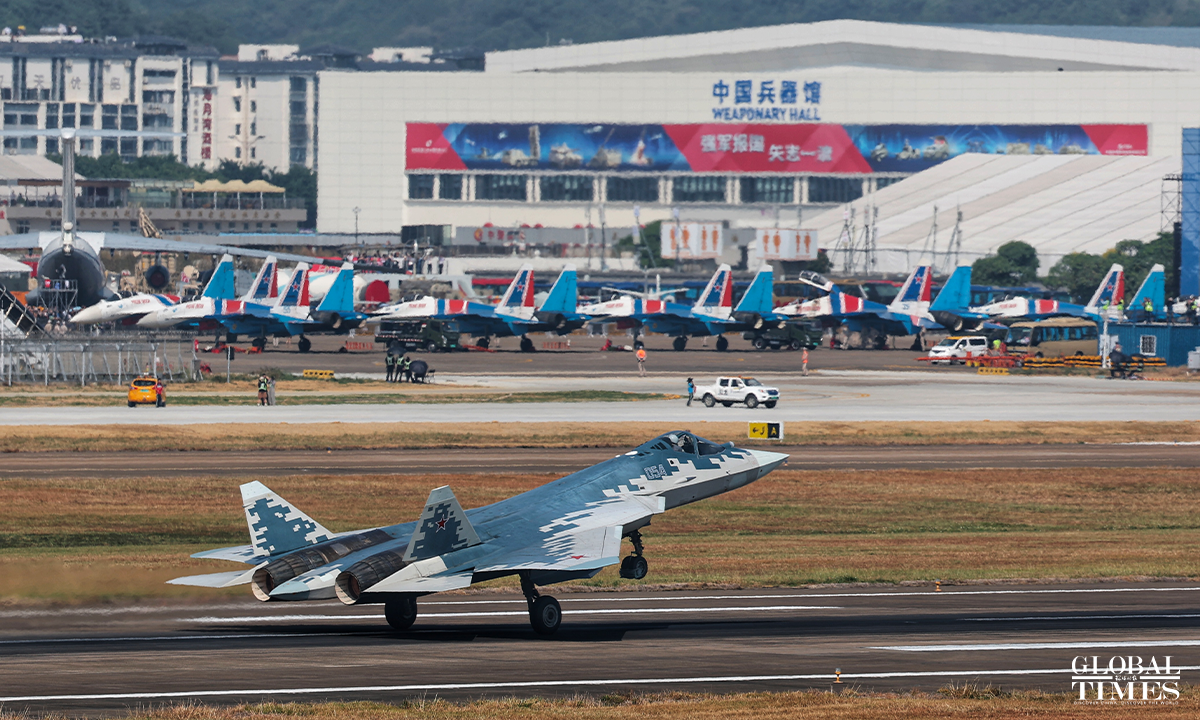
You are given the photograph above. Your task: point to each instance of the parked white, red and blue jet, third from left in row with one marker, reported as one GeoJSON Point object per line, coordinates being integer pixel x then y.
{"type": "Point", "coordinates": [517, 314]}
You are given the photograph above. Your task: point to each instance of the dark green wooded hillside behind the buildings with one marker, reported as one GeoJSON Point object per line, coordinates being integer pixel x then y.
{"type": "Point", "coordinates": [507, 25]}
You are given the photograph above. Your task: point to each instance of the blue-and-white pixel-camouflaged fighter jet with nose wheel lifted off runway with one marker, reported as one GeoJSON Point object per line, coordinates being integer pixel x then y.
{"type": "Point", "coordinates": [567, 530]}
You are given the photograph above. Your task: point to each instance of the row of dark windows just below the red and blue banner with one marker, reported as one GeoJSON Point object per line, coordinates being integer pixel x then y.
{"type": "Point", "coordinates": [776, 190]}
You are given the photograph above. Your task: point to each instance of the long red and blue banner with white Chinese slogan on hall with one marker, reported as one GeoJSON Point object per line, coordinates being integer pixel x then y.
{"type": "Point", "coordinates": [747, 148]}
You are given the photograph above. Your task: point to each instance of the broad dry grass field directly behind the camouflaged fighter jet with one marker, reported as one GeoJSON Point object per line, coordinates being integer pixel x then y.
{"type": "Point", "coordinates": [121, 539]}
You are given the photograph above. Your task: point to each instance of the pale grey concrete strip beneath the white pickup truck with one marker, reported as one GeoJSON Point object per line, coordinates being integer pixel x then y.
{"type": "Point", "coordinates": [831, 398]}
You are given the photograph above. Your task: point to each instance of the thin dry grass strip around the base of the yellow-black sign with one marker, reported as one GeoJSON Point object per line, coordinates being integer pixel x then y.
{"type": "Point", "coordinates": [339, 436]}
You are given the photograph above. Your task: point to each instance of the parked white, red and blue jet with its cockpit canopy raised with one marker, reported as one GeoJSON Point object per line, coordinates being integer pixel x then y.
{"type": "Point", "coordinates": [907, 315]}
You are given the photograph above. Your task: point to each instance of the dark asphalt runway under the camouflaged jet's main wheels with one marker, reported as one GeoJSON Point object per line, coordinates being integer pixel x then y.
{"type": "Point", "coordinates": [98, 661]}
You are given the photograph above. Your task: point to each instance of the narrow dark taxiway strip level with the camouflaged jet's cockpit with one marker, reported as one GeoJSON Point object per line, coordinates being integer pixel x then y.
{"type": "Point", "coordinates": [562, 461]}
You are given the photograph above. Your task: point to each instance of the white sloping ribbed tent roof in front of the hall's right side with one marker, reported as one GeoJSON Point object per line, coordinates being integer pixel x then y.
{"type": "Point", "coordinates": [1059, 205]}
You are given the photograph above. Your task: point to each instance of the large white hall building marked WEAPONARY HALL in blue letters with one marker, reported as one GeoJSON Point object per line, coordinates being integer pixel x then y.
{"type": "Point", "coordinates": [766, 128]}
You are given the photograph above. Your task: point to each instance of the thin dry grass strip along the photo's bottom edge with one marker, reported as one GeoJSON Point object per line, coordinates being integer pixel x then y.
{"type": "Point", "coordinates": [979, 704]}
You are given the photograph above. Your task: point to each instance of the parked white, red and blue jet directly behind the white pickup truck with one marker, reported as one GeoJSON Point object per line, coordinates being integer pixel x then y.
{"type": "Point", "coordinates": [713, 314]}
